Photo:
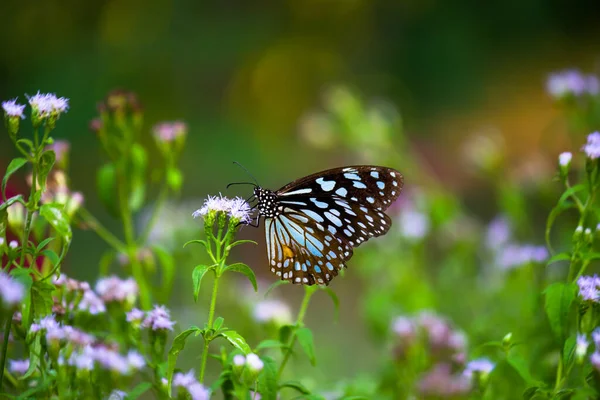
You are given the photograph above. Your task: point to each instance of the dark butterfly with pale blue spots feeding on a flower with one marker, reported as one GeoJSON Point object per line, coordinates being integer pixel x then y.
{"type": "Point", "coordinates": [313, 223]}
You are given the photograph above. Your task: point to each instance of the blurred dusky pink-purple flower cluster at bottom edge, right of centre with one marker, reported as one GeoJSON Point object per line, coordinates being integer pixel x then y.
{"type": "Point", "coordinates": [441, 382]}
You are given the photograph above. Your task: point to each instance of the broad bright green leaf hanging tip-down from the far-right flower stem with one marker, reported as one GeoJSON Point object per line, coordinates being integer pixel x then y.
{"type": "Point", "coordinates": [559, 298]}
